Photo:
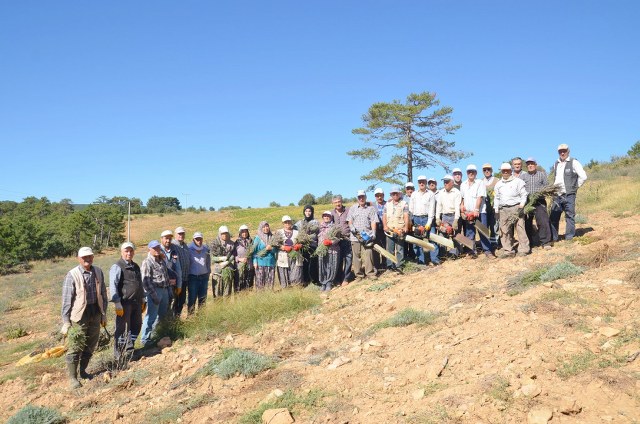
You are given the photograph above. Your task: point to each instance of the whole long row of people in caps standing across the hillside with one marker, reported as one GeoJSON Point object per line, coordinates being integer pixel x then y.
{"type": "Point", "coordinates": [335, 250]}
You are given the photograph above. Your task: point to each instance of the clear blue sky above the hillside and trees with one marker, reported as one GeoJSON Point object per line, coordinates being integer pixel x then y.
{"type": "Point", "coordinates": [245, 102]}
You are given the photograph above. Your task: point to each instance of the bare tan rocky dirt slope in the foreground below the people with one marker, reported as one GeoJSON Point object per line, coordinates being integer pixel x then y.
{"type": "Point", "coordinates": [489, 357]}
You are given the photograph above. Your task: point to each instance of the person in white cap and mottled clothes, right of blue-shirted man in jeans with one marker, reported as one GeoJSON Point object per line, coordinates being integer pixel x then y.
{"type": "Point", "coordinates": [223, 258]}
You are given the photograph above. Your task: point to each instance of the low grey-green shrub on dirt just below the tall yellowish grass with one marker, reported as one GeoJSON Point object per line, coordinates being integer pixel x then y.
{"type": "Point", "coordinates": [231, 362]}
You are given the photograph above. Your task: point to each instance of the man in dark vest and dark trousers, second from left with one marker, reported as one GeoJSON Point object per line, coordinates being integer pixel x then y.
{"type": "Point", "coordinates": [125, 286]}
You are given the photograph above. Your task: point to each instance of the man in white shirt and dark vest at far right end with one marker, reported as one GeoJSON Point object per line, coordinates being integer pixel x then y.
{"type": "Point", "coordinates": [569, 175]}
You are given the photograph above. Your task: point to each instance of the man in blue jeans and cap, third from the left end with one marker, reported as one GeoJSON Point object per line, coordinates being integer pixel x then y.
{"type": "Point", "coordinates": [156, 284]}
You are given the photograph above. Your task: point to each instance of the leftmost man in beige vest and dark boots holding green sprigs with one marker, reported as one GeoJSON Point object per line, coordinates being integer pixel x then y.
{"type": "Point", "coordinates": [84, 304]}
